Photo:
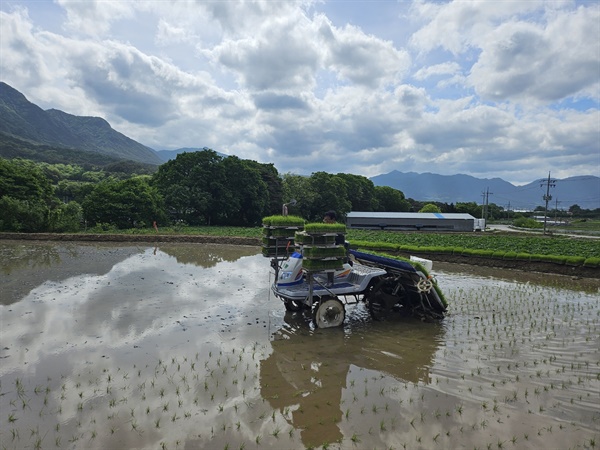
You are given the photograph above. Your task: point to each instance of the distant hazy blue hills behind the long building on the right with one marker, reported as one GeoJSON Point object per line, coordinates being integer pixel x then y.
{"type": "Point", "coordinates": [581, 190]}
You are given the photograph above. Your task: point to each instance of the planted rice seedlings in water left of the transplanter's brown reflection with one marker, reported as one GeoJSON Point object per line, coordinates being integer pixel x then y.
{"type": "Point", "coordinates": [213, 400]}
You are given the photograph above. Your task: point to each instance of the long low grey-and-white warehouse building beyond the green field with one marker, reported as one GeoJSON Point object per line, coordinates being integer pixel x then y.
{"type": "Point", "coordinates": [404, 221]}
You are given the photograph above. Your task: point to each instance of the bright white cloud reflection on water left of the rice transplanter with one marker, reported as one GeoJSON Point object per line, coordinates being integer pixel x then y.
{"type": "Point", "coordinates": [143, 294]}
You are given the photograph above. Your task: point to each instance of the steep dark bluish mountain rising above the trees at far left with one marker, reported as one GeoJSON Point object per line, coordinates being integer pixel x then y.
{"type": "Point", "coordinates": [21, 119]}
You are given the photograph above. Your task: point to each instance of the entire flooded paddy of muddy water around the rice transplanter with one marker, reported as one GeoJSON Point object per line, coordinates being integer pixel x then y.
{"type": "Point", "coordinates": [184, 346]}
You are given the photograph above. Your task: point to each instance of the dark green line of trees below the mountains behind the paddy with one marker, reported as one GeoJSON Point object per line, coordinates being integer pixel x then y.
{"type": "Point", "coordinates": [196, 188]}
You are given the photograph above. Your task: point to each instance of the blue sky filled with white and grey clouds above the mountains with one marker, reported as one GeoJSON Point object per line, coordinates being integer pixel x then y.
{"type": "Point", "coordinates": [507, 89]}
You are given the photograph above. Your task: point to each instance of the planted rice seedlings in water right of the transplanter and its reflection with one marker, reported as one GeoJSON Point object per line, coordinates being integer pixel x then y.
{"type": "Point", "coordinates": [512, 379]}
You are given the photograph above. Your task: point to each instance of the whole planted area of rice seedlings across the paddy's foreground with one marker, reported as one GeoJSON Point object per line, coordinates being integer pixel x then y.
{"type": "Point", "coordinates": [517, 367]}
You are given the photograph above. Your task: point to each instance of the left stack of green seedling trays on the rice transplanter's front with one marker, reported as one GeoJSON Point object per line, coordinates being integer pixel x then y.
{"type": "Point", "coordinates": [278, 234]}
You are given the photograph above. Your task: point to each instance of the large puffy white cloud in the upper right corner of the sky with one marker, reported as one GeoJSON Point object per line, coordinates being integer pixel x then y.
{"type": "Point", "coordinates": [542, 63]}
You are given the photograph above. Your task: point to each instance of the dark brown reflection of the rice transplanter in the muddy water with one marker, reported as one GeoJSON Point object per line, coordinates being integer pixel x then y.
{"type": "Point", "coordinates": [308, 371]}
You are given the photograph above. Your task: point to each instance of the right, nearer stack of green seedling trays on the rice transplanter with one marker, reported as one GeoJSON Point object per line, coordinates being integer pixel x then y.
{"type": "Point", "coordinates": [319, 250]}
